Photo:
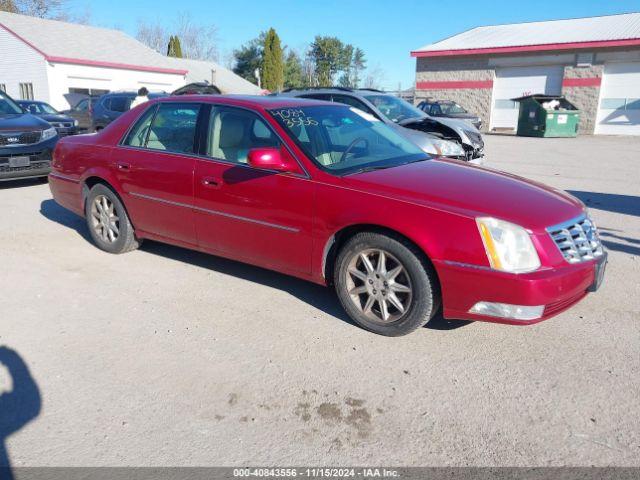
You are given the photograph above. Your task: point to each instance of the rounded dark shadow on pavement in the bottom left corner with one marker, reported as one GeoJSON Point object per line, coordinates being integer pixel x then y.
{"type": "Point", "coordinates": [19, 404]}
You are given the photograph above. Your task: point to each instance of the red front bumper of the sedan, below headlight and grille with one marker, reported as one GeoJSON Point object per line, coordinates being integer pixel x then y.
{"type": "Point", "coordinates": [557, 289]}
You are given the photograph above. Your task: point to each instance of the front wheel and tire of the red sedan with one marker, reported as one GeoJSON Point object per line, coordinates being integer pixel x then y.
{"type": "Point", "coordinates": [407, 284]}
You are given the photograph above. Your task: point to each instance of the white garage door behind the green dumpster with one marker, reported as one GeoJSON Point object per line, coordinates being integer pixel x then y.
{"type": "Point", "coordinates": [516, 82]}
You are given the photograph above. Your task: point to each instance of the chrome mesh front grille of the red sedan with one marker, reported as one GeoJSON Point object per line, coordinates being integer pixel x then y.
{"type": "Point", "coordinates": [577, 240]}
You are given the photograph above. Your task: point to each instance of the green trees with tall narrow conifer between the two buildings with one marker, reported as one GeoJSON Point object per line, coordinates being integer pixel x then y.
{"type": "Point", "coordinates": [327, 62]}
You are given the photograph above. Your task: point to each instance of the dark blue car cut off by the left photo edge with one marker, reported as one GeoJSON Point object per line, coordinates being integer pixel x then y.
{"type": "Point", "coordinates": [26, 142]}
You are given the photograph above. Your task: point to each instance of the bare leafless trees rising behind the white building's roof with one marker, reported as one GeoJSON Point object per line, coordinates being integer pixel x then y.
{"type": "Point", "coordinates": [198, 41]}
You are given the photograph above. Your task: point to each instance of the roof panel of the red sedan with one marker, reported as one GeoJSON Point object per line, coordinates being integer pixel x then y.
{"type": "Point", "coordinates": [255, 101]}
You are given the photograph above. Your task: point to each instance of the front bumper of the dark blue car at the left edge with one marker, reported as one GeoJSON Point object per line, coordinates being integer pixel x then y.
{"type": "Point", "coordinates": [39, 154]}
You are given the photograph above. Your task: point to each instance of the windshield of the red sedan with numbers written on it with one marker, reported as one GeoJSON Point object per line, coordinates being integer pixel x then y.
{"type": "Point", "coordinates": [342, 140]}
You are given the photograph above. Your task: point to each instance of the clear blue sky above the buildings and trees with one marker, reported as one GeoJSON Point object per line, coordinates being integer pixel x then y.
{"type": "Point", "coordinates": [386, 30]}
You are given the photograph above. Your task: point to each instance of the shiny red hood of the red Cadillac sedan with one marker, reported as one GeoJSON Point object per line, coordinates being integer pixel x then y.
{"type": "Point", "coordinates": [472, 191]}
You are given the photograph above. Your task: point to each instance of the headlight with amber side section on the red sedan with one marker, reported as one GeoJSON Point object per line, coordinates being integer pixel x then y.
{"type": "Point", "coordinates": [508, 246]}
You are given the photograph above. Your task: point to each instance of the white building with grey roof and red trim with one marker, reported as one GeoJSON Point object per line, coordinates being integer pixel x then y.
{"type": "Point", "coordinates": [51, 61]}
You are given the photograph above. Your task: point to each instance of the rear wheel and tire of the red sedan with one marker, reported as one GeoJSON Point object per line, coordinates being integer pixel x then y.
{"type": "Point", "coordinates": [102, 206]}
